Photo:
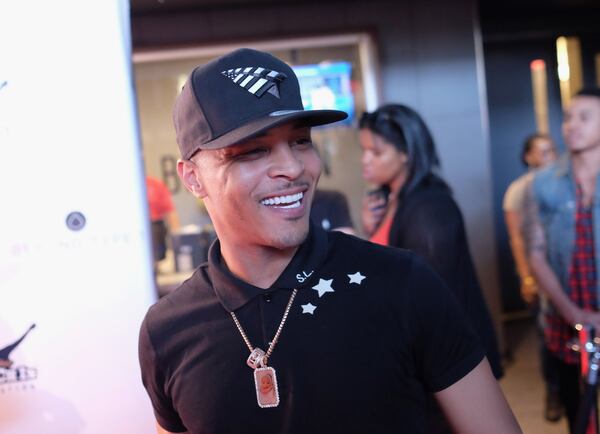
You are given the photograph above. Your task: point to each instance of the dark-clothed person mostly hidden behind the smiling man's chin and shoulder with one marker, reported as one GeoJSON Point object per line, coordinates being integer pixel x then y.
{"type": "Point", "coordinates": [330, 211]}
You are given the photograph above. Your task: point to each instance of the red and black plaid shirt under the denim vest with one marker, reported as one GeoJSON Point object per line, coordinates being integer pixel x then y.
{"type": "Point", "coordinates": [582, 284]}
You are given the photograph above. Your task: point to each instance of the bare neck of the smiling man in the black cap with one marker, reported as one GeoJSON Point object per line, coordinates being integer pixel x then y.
{"type": "Point", "coordinates": [260, 266]}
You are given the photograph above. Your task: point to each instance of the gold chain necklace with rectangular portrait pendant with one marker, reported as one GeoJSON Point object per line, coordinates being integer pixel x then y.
{"type": "Point", "coordinates": [265, 377]}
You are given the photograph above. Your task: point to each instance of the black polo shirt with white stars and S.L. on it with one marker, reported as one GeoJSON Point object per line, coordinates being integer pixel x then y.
{"type": "Point", "coordinates": [371, 332]}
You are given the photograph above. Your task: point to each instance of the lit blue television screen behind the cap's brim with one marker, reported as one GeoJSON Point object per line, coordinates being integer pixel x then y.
{"type": "Point", "coordinates": [327, 85]}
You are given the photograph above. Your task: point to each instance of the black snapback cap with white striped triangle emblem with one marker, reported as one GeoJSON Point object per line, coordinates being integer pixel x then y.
{"type": "Point", "coordinates": [238, 96]}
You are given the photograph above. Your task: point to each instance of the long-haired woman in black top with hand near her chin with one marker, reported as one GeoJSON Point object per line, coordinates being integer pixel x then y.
{"type": "Point", "coordinates": [413, 208]}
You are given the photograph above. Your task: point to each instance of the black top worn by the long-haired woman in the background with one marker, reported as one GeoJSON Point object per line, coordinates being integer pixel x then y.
{"type": "Point", "coordinates": [429, 222]}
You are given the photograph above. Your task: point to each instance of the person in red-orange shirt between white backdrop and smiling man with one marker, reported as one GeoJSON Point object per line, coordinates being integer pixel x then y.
{"type": "Point", "coordinates": [163, 216]}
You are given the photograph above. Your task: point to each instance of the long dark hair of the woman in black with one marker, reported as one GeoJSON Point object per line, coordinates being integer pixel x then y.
{"type": "Point", "coordinates": [406, 131]}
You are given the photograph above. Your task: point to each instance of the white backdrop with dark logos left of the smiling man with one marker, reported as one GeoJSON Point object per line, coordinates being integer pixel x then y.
{"type": "Point", "coordinates": [69, 143]}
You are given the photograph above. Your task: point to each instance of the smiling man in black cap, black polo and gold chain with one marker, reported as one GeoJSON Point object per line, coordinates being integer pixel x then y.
{"type": "Point", "coordinates": [288, 328]}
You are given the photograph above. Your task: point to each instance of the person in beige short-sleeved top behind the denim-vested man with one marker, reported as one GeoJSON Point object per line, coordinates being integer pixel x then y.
{"type": "Point", "coordinates": [538, 151]}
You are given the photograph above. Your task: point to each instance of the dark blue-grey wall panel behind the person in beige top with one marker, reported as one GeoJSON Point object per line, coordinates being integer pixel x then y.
{"type": "Point", "coordinates": [512, 119]}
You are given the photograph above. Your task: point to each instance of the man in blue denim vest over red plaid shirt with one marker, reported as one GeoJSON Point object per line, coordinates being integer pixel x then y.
{"type": "Point", "coordinates": [563, 215]}
